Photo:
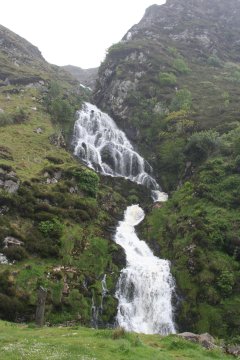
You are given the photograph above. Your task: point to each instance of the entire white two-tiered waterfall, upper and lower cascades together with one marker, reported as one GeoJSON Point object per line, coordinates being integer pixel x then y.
{"type": "Point", "coordinates": [145, 286]}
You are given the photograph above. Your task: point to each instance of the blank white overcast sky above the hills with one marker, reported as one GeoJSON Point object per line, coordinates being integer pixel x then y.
{"type": "Point", "coordinates": [76, 32]}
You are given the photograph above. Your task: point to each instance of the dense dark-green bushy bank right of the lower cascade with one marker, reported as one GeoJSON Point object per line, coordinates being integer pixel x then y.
{"type": "Point", "coordinates": [198, 230]}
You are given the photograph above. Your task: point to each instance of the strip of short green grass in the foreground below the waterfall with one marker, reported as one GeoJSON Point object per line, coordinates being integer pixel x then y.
{"type": "Point", "coordinates": [22, 342]}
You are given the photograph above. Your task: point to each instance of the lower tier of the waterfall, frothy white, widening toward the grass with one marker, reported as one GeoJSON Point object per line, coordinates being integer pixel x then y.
{"type": "Point", "coordinates": [145, 286]}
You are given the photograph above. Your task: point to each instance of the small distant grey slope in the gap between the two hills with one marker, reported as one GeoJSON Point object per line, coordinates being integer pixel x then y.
{"type": "Point", "coordinates": [86, 77]}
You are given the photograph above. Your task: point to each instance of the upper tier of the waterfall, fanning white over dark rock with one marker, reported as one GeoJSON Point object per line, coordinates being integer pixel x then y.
{"type": "Point", "coordinates": [105, 148]}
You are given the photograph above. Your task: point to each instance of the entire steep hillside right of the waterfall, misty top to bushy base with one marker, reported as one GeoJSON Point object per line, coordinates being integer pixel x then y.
{"type": "Point", "coordinates": [172, 84]}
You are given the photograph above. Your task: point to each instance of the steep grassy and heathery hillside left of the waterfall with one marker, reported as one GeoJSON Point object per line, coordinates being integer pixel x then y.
{"type": "Point", "coordinates": [56, 216]}
